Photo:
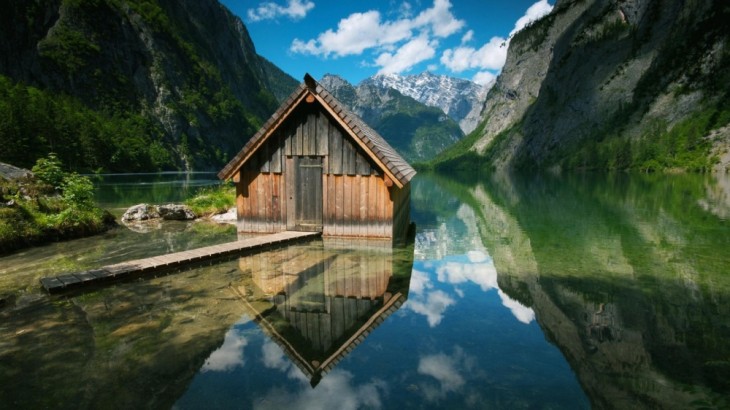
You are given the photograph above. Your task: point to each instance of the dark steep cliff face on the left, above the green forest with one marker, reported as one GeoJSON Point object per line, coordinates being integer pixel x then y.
{"type": "Point", "coordinates": [187, 68]}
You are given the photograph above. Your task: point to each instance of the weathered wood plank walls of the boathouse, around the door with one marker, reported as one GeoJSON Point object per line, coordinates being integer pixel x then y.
{"type": "Point", "coordinates": [355, 200]}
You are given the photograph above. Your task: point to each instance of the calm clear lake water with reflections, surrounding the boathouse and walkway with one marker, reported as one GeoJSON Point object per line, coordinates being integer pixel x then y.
{"type": "Point", "coordinates": [583, 291]}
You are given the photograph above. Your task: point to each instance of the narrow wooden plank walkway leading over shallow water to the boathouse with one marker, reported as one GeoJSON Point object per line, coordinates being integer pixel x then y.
{"type": "Point", "coordinates": [170, 261]}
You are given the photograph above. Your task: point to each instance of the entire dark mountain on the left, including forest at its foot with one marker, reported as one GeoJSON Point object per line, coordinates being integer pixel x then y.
{"type": "Point", "coordinates": [130, 85]}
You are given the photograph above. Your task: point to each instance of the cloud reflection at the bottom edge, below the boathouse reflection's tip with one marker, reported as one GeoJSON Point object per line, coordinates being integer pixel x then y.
{"type": "Point", "coordinates": [335, 391]}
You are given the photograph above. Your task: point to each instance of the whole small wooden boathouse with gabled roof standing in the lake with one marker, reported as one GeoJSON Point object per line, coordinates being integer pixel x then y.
{"type": "Point", "coordinates": [316, 166]}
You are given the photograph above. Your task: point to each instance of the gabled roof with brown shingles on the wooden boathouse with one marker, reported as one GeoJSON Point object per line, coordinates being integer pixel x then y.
{"type": "Point", "coordinates": [372, 143]}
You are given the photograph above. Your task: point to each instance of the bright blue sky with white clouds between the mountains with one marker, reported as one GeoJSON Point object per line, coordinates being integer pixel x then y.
{"type": "Point", "coordinates": [459, 38]}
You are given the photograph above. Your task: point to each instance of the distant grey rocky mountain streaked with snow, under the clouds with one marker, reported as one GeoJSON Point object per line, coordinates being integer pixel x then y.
{"type": "Point", "coordinates": [460, 99]}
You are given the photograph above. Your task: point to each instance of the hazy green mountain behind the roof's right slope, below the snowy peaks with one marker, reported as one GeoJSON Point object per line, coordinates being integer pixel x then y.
{"type": "Point", "coordinates": [418, 132]}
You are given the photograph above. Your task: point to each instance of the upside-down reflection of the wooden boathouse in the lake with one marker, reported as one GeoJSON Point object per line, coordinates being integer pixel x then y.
{"type": "Point", "coordinates": [319, 301]}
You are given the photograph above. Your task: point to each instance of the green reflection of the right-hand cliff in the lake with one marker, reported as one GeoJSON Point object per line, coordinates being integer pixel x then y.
{"type": "Point", "coordinates": [626, 275]}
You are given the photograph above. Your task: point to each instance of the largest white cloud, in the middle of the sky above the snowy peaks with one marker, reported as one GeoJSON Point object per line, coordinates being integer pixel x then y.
{"type": "Point", "coordinates": [401, 43]}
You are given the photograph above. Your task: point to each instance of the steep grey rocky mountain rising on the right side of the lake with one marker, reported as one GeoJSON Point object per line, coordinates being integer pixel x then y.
{"type": "Point", "coordinates": [609, 84]}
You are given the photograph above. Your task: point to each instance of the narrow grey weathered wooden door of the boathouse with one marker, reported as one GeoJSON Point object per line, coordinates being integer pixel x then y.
{"type": "Point", "coordinates": [308, 193]}
